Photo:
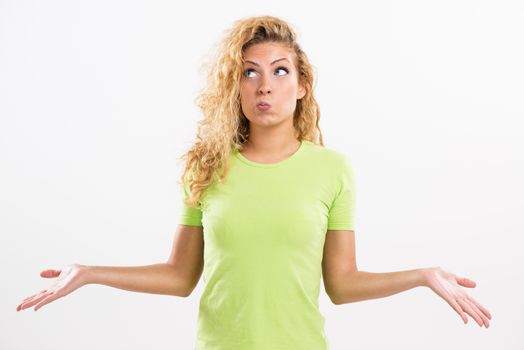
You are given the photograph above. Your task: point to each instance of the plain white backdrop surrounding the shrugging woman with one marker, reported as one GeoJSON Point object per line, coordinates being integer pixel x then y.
{"type": "Point", "coordinates": [97, 104]}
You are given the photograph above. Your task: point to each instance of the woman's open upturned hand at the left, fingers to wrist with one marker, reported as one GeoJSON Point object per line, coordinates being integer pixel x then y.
{"type": "Point", "coordinates": [69, 279]}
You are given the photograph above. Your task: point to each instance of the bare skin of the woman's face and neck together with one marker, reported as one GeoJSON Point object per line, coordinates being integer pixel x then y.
{"type": "Point", "coordinates": [272, 136]}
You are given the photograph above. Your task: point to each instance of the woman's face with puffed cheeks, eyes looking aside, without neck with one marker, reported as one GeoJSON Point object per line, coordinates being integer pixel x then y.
{"type": "Point", "coordinates": [269, 75]}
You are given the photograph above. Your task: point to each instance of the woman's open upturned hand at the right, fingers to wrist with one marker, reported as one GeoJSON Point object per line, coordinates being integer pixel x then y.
{"type": "Point", "coordinates": [447, 286]}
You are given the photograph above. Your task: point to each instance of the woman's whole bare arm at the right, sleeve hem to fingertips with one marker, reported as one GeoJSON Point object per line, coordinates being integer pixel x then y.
{"type": "Point", "coordinates": [344, 283]}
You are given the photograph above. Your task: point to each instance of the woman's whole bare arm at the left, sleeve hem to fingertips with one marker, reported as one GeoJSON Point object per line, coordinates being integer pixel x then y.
{"type": "Point", "coordinates": [178, 276]}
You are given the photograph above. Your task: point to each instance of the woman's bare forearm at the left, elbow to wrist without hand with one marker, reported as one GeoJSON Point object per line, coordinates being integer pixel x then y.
{"type": "Point", "coordinates": [155, 279]}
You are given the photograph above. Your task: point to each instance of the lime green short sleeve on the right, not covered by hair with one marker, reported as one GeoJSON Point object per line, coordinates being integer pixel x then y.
{"type": "Point", "coordinates": [342, 211]}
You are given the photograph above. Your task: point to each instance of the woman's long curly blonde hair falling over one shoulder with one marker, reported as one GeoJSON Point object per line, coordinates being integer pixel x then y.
{"type": "Point", "coordinates": [224, 127]}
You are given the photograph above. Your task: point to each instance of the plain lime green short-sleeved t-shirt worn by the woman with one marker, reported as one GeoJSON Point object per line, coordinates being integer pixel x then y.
{"type": "Point", "coordinates": [264, 231]}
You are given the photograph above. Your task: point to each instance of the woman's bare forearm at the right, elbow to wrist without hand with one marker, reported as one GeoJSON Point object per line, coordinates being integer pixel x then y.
{"type": "Point", "coordinates": [362, 285]}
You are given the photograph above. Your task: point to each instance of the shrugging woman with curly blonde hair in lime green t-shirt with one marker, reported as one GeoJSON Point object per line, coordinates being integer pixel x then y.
{"type": "Point", "coordinates": [274, 207]}
